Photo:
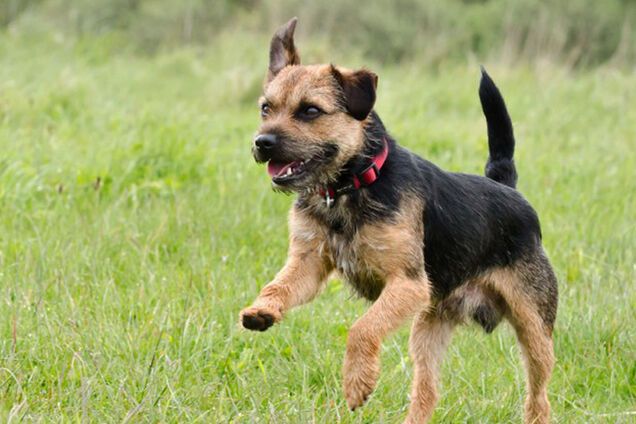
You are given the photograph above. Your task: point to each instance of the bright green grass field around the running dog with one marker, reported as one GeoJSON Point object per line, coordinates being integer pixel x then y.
{"type": "Point", "coordinates": [134, 226]}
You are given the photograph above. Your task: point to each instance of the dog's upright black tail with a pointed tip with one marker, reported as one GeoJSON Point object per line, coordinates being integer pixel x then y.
{"type": "Point", "coordinates": [501, 141]}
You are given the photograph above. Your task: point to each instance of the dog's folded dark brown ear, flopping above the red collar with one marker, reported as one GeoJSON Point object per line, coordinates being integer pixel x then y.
{"type": "Point", "coordinates": [358, 89]}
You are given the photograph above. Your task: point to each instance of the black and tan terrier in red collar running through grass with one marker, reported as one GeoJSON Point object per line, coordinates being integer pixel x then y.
{"type": "Point", "coordinates": [420, 243]}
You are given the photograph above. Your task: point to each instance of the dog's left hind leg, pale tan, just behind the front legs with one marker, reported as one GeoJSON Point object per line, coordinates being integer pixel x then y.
{"type": "Point", "coordinates": [430, 335]}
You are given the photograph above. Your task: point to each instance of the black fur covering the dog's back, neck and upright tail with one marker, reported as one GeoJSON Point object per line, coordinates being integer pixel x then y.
{"type": "Point", "coordinates": [471, 223]}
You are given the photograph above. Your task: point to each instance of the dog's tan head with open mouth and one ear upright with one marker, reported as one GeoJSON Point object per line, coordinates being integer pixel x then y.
{"type": "Point", "coordinates": [313, 117]}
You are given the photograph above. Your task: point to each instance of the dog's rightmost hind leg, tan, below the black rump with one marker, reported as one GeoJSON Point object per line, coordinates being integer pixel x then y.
{"type": "Point", "coordinates": [529, 289]}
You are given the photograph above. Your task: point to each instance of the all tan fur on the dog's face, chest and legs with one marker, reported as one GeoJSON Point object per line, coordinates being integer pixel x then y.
{"type": "Point", "coordinates": [384, 258]}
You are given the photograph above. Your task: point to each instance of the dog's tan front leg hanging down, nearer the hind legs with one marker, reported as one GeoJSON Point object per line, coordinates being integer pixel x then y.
{"type": "Point", "coordinates": [401, 298]}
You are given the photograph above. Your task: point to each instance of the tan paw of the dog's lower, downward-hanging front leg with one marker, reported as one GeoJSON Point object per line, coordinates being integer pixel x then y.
{"type": "Point", "coordinates": [360, 378]}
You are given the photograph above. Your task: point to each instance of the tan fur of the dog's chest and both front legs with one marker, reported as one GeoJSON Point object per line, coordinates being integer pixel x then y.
{"type": "Point", "coordinates": [384, 252]}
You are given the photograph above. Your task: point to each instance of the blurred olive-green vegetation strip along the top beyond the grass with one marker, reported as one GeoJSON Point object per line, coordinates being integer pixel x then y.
{"type": "Point", "coordinates": [575, 33]}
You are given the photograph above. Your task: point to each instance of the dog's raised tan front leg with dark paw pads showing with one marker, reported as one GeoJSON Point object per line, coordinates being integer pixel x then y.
{"type": "Point", "coordinates": [300, 280]}
